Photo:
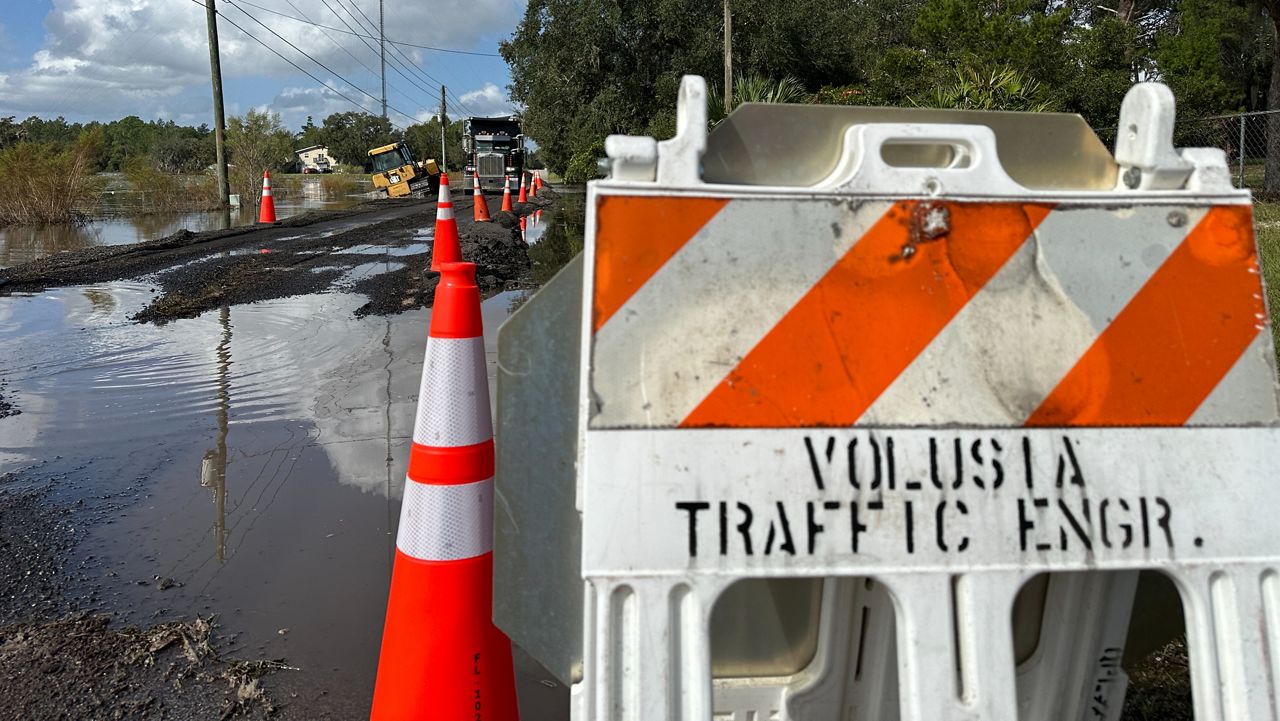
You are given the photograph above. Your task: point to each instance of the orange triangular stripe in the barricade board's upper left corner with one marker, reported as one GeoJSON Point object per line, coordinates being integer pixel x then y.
{"type": "Point", "coordinates": [638, 236]}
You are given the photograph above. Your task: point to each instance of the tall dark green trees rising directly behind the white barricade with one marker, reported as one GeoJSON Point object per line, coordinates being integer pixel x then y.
{"type": "Point", "coordinates": [588, 69]}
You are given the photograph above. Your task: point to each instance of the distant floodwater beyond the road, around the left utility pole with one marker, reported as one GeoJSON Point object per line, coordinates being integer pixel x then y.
{"type": "Point", "coordinates": [22, 244]}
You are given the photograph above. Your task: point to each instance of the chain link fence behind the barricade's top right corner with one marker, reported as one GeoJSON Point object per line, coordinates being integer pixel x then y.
{"type": "Point", "coordinates": [1244, 136]}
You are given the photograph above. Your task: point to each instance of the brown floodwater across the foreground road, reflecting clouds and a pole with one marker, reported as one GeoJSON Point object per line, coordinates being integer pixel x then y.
{"type": "Point", "coordinates": [257, 457]}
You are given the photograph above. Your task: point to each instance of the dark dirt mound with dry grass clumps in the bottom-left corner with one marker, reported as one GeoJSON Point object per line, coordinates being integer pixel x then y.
{"type": "Point", "coordinates": [81, 668]}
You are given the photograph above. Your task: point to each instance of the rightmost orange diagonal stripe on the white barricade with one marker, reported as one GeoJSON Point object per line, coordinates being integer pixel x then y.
{"type": "Point", "coordinates": [1167, 352]}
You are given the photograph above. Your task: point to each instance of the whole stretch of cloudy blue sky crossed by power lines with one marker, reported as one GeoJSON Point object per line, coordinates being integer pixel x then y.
{"type": "Point", "coordinates": [104, 60]}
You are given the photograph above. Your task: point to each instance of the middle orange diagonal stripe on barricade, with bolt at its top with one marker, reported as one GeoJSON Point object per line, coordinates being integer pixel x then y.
{"type": "Point", "coordinates": [870, 317]}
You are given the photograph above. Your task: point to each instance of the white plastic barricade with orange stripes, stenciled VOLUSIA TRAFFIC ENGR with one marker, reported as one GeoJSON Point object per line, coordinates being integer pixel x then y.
{"type": "Point", "coordinates": [926, 358]}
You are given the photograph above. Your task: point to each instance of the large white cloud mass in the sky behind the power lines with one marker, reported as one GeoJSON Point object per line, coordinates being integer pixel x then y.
{"type": "Point", "coordinates": [112, 58]}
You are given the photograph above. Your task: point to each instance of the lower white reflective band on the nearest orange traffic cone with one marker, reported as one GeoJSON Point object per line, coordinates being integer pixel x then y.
{"type": "Point", "coordinates": [446, 523]}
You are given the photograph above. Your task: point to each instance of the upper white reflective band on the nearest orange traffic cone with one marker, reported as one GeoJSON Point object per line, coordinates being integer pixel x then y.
{"type": "Point", "coordinates": [454, 400]}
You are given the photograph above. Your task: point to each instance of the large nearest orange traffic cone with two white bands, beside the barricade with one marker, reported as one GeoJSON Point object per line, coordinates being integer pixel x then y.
{"type": "Point", "coordinates": [442, 658]}
